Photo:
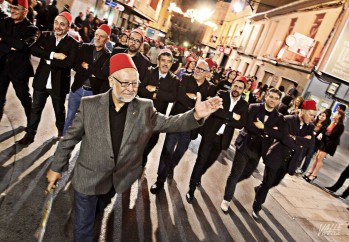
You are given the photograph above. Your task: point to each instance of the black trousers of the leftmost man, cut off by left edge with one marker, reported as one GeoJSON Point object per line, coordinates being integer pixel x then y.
{"type": "Point", "coordinates": [22, 92]}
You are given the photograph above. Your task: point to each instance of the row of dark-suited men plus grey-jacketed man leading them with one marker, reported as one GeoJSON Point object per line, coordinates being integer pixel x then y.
{"type": "Point", "coordinates": [120, 126]}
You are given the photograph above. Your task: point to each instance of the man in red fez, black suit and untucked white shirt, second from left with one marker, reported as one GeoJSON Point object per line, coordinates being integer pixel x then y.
{"type": "Point", "coordinates": [52, 78]}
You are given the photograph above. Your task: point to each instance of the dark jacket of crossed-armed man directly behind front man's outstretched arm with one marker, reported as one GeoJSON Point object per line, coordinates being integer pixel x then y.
{"type": "Point", "coordinates": [166, 88]}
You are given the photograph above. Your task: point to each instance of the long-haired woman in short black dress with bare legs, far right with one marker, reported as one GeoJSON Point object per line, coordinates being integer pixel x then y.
{"type": "Point", "coordinates": [329, 141]}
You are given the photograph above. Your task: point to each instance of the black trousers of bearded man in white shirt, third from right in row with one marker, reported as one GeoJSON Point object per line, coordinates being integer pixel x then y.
{"type": "Point", "coordinates": [208, 153]}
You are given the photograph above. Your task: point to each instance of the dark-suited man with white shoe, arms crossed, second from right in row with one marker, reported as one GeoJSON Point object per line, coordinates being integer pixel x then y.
{"type": "Point", "coordinates": [262, 127]}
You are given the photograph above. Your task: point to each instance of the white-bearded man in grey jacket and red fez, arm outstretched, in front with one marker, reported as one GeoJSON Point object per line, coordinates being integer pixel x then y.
{"type": "Point", "coordinates": [114, 128]}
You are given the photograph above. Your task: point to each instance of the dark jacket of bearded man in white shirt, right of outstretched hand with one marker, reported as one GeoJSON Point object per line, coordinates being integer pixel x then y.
{"type": "Point", "coordinates": [224, 116]}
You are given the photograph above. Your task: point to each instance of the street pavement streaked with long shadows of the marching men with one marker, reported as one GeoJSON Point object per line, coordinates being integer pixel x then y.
{"type": "Point", "coordinates": [294, 211]}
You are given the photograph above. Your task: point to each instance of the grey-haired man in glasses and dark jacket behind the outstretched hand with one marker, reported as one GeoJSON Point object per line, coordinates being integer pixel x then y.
{"type": "Point", "coordinates": [176, 144]}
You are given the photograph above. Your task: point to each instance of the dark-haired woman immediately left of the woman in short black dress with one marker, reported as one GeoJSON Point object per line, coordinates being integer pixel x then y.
{"type": "Point", "coordinates": [320, 125]}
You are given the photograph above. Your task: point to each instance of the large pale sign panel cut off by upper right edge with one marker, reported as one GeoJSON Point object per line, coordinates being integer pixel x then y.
{"type": "Point", "coordinates": [338, 63]}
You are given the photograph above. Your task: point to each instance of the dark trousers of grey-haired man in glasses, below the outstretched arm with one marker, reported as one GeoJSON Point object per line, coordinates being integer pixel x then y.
{"type": "Point", "coordinates": [176, 144]}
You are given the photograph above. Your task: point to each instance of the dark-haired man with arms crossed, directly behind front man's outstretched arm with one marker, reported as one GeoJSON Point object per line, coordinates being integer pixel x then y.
{"type": "Point", "coordinates": [159, 85]}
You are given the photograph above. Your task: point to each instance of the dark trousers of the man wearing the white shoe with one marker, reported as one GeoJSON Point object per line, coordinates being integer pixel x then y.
{"type": "Point", "coordinates": [242, 168]}
